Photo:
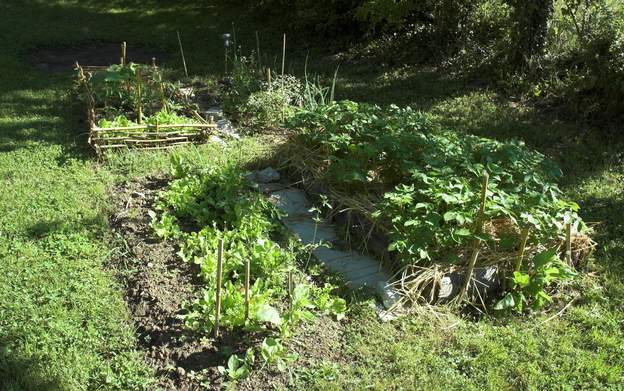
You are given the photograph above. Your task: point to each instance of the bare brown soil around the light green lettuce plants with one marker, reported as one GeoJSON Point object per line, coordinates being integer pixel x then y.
{"type": "Point", "coordinates": [158, 284]}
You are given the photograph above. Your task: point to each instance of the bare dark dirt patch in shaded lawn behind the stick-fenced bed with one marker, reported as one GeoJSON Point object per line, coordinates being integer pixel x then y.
{"type": "Point", "coordinates": [64, 58]}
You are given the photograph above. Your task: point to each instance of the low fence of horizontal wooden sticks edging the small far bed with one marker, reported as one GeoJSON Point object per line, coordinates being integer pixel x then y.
{"type": "Point", "coordinates": [144, 136]}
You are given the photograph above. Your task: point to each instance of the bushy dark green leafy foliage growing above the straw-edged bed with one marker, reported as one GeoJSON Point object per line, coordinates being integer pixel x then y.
{"type": "Point", "coordinates": [426, 182]}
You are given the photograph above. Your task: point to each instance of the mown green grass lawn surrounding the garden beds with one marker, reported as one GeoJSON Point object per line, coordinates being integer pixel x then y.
{"type": "Point", "coordinates": [64, 324]}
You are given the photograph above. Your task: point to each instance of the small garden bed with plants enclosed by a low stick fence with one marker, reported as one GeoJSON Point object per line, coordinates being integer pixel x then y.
{"type": "Point", "coordinates": [138, 106]}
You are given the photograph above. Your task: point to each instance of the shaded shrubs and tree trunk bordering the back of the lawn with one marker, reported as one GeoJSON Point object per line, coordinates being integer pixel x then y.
{"type": "Point", "coordinates": [566, 53]}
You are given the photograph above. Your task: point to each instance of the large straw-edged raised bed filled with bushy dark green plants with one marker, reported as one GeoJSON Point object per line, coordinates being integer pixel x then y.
{"type": "Point", "coordinates": [449, 209]}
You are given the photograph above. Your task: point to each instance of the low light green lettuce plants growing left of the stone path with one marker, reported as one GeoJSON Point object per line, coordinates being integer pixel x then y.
{"type": "Point", "coordinates": [199, 208]}
